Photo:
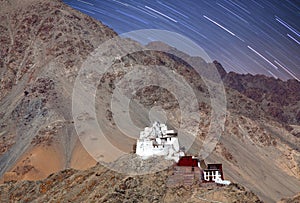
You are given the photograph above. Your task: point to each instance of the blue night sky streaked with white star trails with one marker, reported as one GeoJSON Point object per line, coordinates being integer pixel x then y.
{"type": "Point", "coordinates": [250, 36]}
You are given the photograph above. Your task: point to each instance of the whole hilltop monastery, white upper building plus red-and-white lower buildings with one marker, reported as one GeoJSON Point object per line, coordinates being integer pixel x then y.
{"type": "Point", "coordinates": [159, 141]}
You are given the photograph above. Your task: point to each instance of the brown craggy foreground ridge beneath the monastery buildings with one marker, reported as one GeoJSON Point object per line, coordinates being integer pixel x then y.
{"type": "Point", "coordinates": [99, 184]}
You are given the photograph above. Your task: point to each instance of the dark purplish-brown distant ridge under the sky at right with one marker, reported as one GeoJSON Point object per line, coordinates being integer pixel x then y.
{"type": "Point", "coordinates": [278, 99]}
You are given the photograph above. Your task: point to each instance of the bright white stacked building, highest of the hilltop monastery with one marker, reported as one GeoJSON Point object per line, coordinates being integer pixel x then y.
{"type": "Point", "coordinates": [158, 141]}
